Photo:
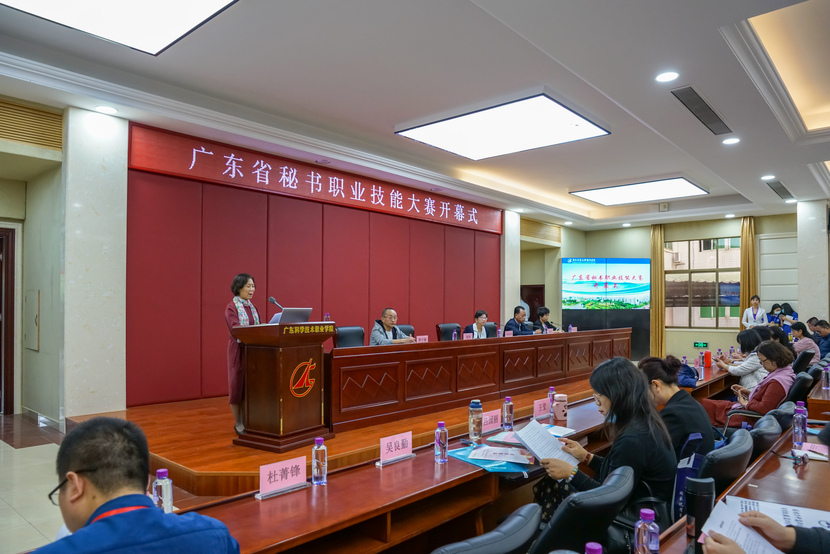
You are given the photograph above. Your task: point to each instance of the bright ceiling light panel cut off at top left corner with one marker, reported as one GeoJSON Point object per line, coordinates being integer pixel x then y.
{"type": "Point", "coordinates": [149, 26]}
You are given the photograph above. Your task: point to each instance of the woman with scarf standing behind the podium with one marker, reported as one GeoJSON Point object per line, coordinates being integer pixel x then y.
{"type": "Point", "coordinates": [240, 311]}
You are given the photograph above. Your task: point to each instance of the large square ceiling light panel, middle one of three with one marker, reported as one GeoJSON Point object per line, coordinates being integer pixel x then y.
{"type": "Point", "coordinates": [516, 126]}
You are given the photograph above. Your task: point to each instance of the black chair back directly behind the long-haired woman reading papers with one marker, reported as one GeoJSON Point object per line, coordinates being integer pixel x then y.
{"type": "Point", "coordinates": [585, 516]}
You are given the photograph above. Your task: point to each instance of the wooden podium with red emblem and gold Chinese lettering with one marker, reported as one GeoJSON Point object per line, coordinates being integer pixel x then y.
{"type": "Point", "coordinates": [285, 397]}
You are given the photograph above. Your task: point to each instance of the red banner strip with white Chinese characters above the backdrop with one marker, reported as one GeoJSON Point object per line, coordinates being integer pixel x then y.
{"type": "Point", "coordinates": [168, 153]}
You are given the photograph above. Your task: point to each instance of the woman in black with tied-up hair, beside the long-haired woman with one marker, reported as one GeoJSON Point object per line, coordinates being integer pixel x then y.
{"type": "Point", "coordinates": [682, 414]}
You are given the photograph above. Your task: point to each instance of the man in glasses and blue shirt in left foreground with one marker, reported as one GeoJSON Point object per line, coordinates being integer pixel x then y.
{"type": "Point", "coordinates": [104, 469]}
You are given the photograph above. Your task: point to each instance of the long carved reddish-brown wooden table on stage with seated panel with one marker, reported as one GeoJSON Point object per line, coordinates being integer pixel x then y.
{"type": "Point", "coordinates": [378, 384]}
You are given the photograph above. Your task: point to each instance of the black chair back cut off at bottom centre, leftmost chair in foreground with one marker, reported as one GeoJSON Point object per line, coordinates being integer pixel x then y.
{"type": "Point", "coordinates": [513, 536]}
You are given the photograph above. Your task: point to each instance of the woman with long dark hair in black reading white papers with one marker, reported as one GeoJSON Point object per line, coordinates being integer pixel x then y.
{"type": "Point", "coordinates": [639, 440]}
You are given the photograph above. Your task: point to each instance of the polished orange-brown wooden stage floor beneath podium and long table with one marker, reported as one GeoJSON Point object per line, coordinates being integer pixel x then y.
{"type": "Point", "coordinates": [193, 440]}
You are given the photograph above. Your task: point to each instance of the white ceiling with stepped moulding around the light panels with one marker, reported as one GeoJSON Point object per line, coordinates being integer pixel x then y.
{"type": "Point", "coordinates": [324, 79]}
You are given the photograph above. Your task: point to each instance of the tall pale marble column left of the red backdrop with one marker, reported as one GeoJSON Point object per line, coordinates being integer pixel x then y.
{"type": "Point", "coordinates": [95, 171]}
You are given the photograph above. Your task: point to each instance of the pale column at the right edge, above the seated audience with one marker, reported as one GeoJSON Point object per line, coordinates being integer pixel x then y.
{"type": "Point", "coordinates": [813, 260]}
